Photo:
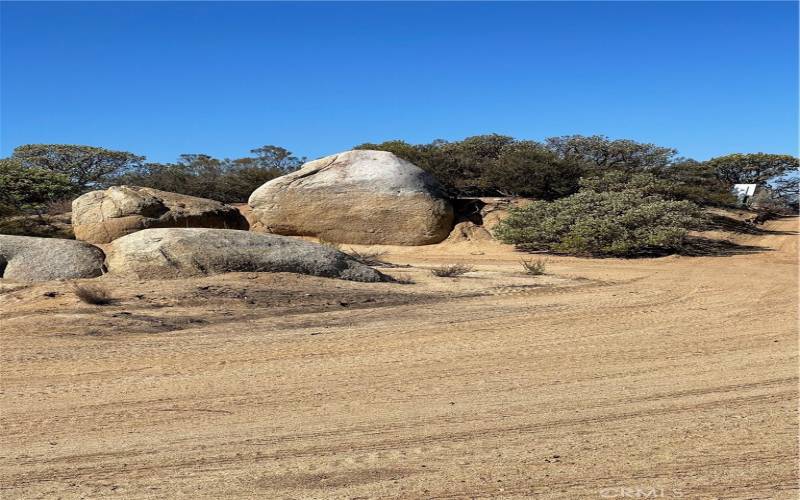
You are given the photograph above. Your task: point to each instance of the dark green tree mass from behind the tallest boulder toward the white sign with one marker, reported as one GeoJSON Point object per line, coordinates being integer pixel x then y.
{"type": "Point", "coordinates": [490, 165]}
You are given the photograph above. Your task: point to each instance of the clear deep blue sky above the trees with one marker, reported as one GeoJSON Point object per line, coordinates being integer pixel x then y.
{"type": "Point", "coordinates": [161, 79]}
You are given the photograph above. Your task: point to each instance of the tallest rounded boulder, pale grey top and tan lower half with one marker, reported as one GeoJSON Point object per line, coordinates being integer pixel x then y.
{"type": "Point", "coordinates": [365, 197]}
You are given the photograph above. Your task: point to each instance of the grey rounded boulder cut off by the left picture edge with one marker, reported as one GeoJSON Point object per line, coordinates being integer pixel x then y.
{"type": "Point", "coordinates": [25, 258]}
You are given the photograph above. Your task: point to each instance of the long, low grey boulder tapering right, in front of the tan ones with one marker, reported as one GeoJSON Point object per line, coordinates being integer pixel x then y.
{"type": "Point", "coordinates": [175, 253]}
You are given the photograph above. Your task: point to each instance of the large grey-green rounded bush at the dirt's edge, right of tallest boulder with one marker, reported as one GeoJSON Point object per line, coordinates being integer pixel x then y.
{"type": "Point", "coordinates": [622, 223]}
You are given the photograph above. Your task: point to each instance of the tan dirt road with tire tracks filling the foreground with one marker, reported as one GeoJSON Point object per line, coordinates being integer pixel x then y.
{"type": "Point", "coordinates": [654, 378]}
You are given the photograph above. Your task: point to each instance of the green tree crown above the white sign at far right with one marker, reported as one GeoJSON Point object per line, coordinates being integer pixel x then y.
{"type": "Point", "coordinates": [752, 168]}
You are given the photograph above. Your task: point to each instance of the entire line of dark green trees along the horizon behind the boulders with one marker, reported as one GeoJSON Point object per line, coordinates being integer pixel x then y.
{"type": "Point", "coordinates": [484, 165]}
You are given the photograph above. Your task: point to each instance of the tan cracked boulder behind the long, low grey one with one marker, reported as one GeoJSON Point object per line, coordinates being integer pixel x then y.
{"type": "Point", "coordinates": [103, 216]}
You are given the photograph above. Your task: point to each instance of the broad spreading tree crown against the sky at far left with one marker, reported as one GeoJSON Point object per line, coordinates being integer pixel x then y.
{"type": "Point", "coordinates": [84, 166]}
